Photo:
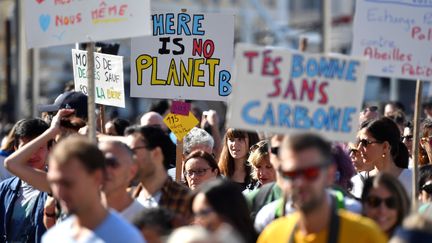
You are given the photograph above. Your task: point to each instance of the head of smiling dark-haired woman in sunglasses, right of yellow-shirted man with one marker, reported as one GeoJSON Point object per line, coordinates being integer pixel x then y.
{"type": "Point", "coordinates": [385, 201]}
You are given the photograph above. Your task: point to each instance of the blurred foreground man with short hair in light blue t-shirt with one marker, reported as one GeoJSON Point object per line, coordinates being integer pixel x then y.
{"type": "Point", "coordinates": [76, 174]}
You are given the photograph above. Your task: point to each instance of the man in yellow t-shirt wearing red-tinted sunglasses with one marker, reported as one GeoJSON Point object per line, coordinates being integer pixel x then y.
{"type": "Point", "coordinates": [307, 169]}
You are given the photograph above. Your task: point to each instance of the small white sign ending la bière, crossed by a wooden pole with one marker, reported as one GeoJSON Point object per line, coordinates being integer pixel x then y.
{"type": "Point", "coordinates": [109, 82]}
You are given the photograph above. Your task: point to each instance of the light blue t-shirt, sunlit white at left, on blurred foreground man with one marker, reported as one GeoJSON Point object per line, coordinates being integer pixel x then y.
{"type": "Point", "coordinates": [113, 229]}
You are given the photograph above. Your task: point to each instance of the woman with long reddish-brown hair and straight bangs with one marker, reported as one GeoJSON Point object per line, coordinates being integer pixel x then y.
{"type": "Point", "coordinates": [233, 159]}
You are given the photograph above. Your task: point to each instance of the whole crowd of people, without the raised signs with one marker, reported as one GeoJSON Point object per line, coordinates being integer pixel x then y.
{"type": "Point", "coordinates": [236, 186]}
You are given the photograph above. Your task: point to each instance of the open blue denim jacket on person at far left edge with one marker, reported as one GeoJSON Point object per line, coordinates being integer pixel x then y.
{"type": "Point", "coordinates": [9, 192]}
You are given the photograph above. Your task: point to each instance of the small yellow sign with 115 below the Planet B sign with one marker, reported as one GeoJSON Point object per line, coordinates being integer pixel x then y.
{"type": "Point", "coordinates": [180, 125]}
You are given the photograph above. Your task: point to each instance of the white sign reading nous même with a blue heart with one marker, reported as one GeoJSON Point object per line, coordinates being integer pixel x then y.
{"type": "Point", "coordinates": [59, 22]}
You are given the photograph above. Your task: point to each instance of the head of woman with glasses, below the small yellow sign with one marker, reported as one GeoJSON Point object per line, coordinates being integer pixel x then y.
{"type": "Point", "coordinates": [199, 166]}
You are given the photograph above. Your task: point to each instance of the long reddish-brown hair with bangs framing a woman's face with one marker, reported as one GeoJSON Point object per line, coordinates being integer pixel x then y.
{"type": "Point", "coordinates": [226, 161]}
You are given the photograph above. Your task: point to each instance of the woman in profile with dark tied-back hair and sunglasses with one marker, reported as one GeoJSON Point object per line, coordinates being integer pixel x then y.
{"type": "Point", "coordinates": [379, 145]}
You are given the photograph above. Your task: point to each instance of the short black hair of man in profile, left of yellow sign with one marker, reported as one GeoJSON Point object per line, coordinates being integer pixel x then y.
{"type": "Point", "coordinates": [154, 137]}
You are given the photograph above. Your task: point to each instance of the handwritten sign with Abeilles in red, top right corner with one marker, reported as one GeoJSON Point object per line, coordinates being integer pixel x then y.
{"type": "Point", "coordinates": [396, 37]}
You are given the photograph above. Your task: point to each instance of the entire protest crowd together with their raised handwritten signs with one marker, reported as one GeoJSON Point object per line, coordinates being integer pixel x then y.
{"type": "Point", "coordinates": [299, 156]}
